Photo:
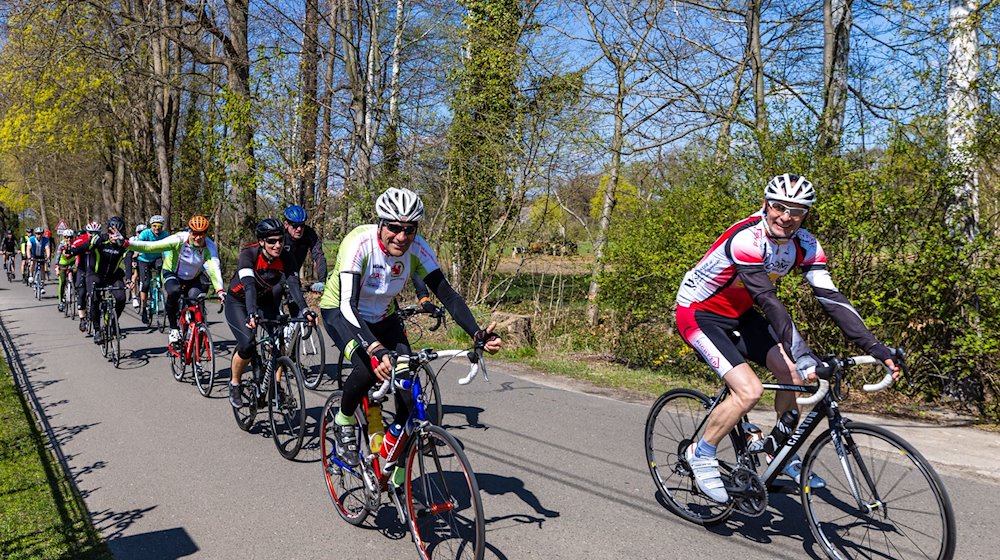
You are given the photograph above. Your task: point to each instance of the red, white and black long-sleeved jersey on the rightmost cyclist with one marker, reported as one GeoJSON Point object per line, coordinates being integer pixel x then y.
{"type": "Point", "coordinates": [739, 271]}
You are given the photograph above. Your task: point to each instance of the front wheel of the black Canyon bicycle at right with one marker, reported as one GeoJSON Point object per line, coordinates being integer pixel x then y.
{"type": "Point", "coordinates": [915, 518]}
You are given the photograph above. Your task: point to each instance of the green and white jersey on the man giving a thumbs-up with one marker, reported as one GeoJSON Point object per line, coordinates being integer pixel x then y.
{"type": "Point", "coordinates": [382, 275]}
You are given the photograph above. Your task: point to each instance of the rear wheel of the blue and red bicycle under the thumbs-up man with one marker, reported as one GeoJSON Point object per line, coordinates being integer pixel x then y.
{"type": "Point", "coordinates": [346, 486]}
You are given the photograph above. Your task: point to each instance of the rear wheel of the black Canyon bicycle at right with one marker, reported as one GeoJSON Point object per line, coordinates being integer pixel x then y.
{"type": "Point", "coordinates": [670, 429]}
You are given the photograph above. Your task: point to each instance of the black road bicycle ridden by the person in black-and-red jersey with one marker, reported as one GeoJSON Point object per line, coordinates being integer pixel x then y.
{"type": "Point", "coordinates": [274, 381]}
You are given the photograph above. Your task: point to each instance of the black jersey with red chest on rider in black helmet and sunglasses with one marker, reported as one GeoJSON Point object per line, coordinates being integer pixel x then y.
{"type": "Point", "coordinates": [259, 280]}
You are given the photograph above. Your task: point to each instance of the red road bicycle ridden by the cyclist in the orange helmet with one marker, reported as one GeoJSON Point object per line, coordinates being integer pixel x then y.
{"type": "Point", "coordinates": [194, 351]}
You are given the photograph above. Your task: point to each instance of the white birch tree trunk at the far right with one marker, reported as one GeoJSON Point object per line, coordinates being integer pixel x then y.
{"type": "Point", "coordinates": [963, 70]}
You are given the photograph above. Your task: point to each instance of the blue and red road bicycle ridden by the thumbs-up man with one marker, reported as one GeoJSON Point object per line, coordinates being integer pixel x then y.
{"type": "Point", "coordinates": [439, 500]}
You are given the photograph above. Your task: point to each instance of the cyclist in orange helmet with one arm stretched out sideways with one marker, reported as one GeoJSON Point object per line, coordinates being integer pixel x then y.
{"type": "Point", "coordinates": [186, 255]}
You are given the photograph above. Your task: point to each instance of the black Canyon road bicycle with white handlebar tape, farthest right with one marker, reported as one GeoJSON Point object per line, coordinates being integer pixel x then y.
{"type": "Point", "coordinates": [882, 499]}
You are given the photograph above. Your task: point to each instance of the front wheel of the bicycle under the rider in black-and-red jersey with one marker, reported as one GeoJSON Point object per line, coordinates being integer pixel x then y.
{"type": "Point", "coordinates": [287, 409]}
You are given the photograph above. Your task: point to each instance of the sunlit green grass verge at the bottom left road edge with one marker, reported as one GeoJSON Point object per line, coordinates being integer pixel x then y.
{"type": "Point", "coordinates": [41, 515]}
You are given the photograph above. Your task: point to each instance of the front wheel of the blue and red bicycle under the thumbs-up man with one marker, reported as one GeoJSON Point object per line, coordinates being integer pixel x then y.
{"type": "Point", "coordinates": [443, 506]}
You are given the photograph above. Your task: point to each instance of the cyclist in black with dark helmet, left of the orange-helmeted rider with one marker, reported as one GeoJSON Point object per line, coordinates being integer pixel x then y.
{"type": "Point", "coordinates": [107, 252]}
